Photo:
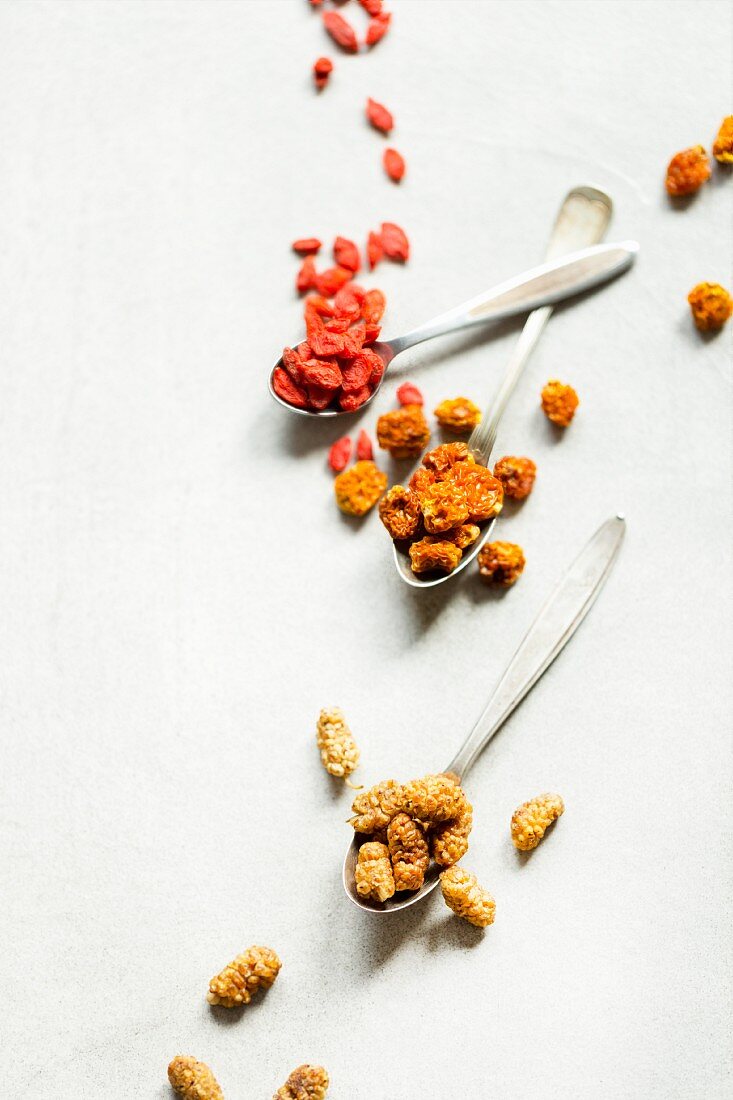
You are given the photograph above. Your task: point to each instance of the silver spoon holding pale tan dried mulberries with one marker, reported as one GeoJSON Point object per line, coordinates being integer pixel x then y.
{"type": "Point", "coordinates": [555, 625]}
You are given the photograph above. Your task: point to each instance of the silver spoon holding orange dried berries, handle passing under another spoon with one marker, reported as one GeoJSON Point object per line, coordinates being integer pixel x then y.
{"type": "Point", "coordinates": [582, 221]}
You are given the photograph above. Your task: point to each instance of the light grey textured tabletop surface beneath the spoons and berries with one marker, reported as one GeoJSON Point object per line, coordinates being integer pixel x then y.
{"type": "Point", "coordinates": [181, 596]}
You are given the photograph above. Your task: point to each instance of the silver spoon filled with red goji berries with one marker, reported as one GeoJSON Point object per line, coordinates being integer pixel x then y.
{"type": "Point", "coordinates": [541, 287]}
